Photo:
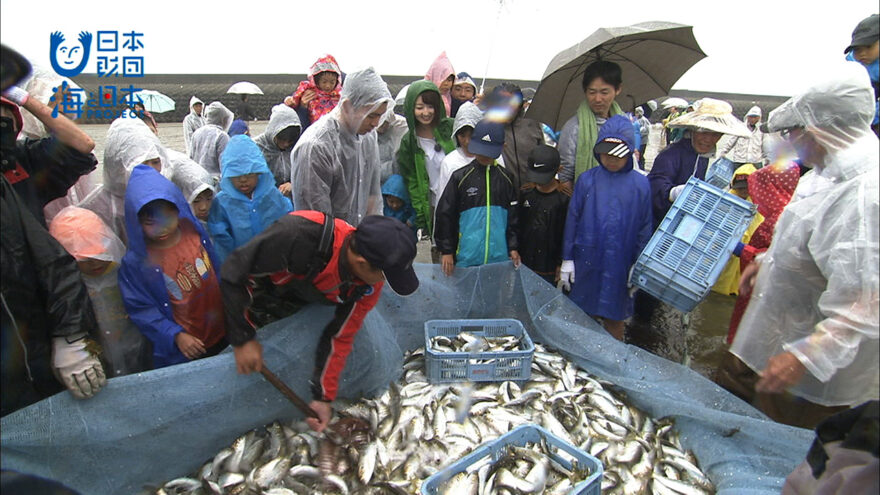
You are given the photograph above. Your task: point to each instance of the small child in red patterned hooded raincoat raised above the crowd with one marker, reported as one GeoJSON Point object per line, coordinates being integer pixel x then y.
{"type": "Point", "coordinates": [320, 93]}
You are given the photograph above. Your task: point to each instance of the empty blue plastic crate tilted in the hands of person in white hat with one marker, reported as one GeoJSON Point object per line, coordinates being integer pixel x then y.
{"type": "Point", "coordinates": [688, 251]}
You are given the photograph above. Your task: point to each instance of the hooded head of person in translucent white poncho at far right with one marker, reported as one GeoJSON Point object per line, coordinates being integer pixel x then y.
{"type": "Point", "coordinates": [829, 117]}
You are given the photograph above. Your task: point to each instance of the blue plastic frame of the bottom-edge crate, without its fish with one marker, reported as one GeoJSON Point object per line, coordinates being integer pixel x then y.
{"type": "Point", "coordinates": [520, 436]}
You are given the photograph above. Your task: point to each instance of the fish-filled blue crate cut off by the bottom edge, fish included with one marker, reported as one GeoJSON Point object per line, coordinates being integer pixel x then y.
{"type": "Point", "coordinates": [528, 459]}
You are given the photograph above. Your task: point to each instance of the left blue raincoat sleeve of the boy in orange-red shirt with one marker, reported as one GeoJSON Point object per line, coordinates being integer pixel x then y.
{"type": "Point", "coordinates": [144, 312]}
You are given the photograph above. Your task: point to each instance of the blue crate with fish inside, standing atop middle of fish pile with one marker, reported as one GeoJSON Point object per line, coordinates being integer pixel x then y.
{"type": "Point", "coordinates": [477, 350]}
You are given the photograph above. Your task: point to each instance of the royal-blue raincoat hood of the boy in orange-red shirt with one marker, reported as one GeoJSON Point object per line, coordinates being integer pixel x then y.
{"type": "Point", "coordinates": [144, 186]}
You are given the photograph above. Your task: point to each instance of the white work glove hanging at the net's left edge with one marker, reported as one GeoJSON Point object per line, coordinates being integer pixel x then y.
{"type": "Point", "coordinates": [77, 367]}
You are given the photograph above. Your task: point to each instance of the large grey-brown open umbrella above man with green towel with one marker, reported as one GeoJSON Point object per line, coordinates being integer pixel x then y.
{"type": "Point", "coordinates": [652, 55]}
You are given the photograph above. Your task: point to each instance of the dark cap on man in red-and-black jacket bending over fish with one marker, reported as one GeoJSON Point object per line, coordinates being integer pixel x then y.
{"type": "Point", "coordinates": [389, 245]}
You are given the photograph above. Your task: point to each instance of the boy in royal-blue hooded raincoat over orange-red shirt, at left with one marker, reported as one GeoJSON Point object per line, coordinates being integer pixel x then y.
{"type": "Point", "coordinates": [169, 278]}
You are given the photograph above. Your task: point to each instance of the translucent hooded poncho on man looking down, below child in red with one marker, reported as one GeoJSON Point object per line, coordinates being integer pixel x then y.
{"type": "Point", "coordinates": [335, 170]}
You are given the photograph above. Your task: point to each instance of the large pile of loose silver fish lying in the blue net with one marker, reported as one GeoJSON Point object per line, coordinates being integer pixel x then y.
{"type": "Point", "coordinates": [391, 444]}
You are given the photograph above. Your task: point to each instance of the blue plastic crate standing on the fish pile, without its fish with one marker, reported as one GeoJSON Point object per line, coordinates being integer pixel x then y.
{"type": "Point", "coordinates": [445, 367]}
